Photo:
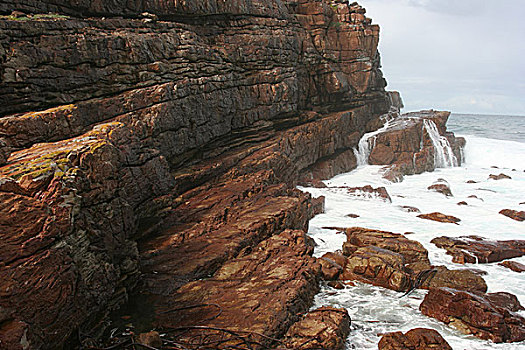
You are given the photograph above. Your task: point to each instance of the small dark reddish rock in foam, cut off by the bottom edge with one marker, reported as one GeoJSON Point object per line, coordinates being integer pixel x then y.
{"type": "Point", "coordinates": [414, 339]}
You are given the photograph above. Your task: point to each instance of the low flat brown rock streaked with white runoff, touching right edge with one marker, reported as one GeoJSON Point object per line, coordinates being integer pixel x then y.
{"type": "Point", "coordinates": [475, 249]}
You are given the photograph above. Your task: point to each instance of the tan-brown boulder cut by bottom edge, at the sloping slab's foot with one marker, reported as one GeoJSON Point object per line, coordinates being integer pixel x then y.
{"type": "Point", "coordinates": [323, 328]}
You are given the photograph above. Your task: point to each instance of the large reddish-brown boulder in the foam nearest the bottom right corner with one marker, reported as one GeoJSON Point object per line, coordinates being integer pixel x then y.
{"type": "Point", "coordinates": [474, 314]}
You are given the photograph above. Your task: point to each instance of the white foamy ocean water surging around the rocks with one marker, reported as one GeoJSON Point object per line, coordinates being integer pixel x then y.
{"type": "Point", "coordinates": [492, 141]}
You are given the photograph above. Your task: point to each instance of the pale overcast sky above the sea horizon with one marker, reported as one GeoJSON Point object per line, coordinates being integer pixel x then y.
{"type": "Point", "coordinates": [467, 56]}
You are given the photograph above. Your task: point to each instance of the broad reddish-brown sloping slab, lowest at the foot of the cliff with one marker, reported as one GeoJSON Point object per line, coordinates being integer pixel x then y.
{"type": "Point", "coordinates": [260, 293]}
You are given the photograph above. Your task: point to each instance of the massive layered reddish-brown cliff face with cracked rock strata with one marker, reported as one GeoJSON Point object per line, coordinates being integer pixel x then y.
{"type": "Point", "coordinates": [184, 129]}
